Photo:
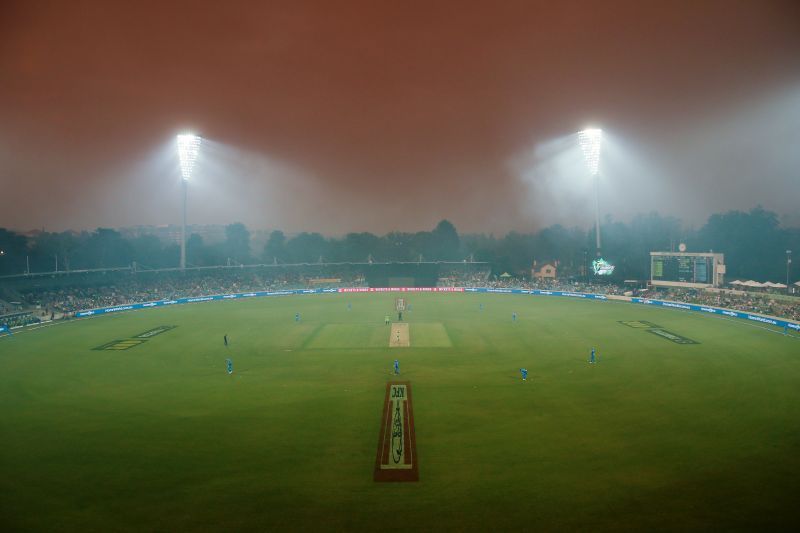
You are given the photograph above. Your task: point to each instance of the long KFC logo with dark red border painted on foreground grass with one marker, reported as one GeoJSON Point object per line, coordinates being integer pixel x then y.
{"type": "Point", "coordinates": [397, 444]}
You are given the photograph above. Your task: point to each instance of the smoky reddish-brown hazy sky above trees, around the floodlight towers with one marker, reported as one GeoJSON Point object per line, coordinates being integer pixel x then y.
{"type": "Point", "coordinates": [341, 116]}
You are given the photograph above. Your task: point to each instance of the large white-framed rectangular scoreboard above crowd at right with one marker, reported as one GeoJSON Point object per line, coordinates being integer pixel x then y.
{"type": "Point", "coordinates": [686, 269]}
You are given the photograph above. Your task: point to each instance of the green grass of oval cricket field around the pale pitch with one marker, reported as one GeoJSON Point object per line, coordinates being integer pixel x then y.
{"type": "Point", "coordinates": [104, 431]}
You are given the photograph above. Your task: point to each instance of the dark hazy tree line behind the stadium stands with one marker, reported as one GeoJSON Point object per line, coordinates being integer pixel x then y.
{"type": "Point", "coordinates": [753, 242]}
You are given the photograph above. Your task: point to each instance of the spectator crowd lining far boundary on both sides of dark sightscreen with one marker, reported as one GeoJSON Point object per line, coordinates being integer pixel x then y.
{"type": "Point", "coordinates": [62, 300]}
